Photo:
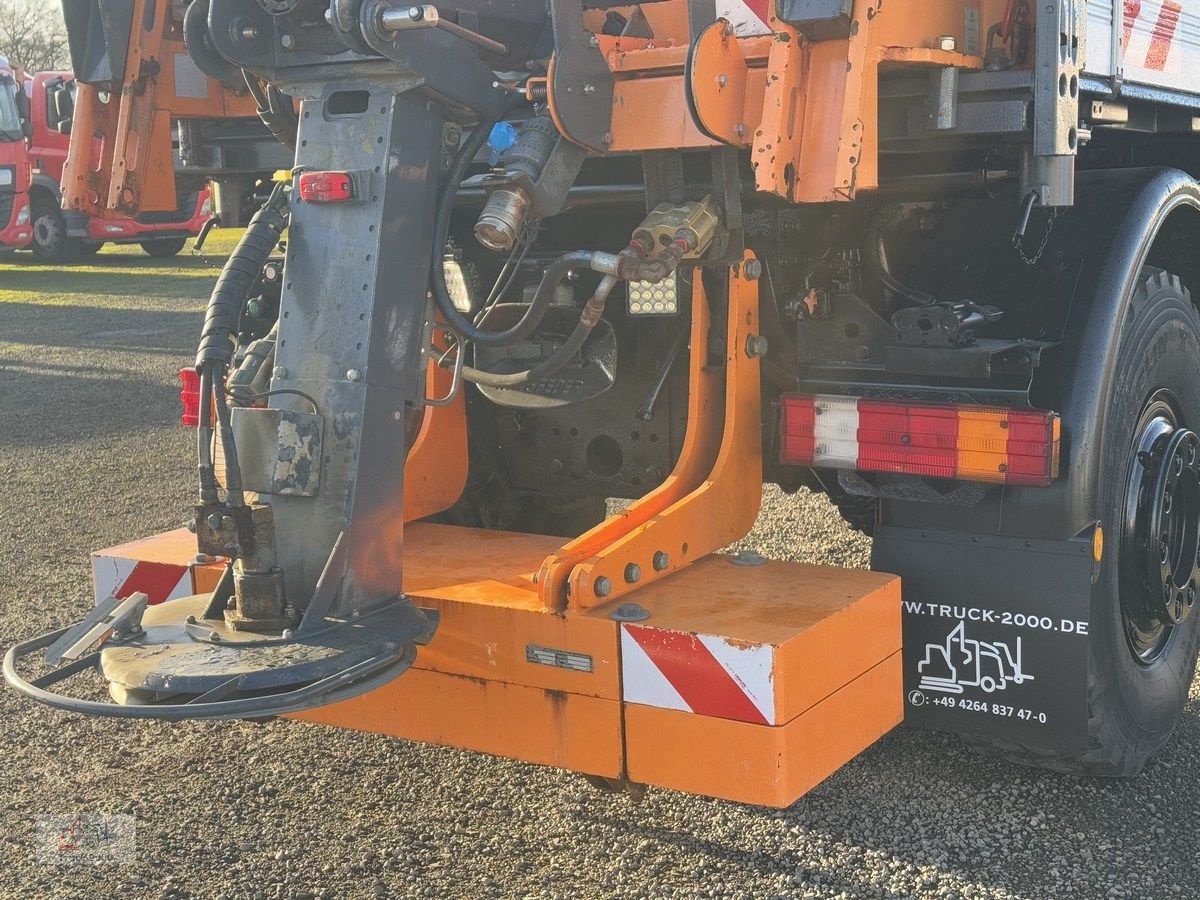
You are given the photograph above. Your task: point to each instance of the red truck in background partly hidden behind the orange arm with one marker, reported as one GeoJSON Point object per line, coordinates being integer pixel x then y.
{"type": "Point", "coordinates": [62, 235]}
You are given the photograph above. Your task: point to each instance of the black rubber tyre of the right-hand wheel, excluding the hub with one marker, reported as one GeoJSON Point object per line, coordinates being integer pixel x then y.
{"type": "Point", "coordinates": [1138, 681]}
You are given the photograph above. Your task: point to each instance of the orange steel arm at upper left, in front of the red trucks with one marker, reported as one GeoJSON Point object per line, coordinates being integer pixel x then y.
{"type": "Point", "coordinates": [123, 163]}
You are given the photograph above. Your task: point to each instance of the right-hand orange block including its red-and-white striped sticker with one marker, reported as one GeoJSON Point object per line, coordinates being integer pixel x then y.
{"type": "Point", "coordinates": [758, 682]}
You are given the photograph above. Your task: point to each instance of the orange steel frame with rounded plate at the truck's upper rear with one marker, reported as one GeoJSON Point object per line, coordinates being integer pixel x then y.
{"type": "Point", "coordinates": [807, 111]}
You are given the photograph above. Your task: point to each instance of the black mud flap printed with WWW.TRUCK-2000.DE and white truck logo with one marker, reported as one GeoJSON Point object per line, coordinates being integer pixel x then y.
{"type": "Point", "coordinates": [995, 634]}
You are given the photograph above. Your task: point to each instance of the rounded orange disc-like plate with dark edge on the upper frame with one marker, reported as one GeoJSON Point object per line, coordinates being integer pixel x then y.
{"type": "Point", "coordinates": [727, 95]}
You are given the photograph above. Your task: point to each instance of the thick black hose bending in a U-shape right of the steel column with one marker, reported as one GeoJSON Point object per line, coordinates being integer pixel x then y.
{"type": "Point", "coordinates": [550, 281]}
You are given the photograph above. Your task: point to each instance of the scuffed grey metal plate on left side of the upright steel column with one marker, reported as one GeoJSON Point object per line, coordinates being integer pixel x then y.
{"type": "Point", "coordinates": [279, 451]}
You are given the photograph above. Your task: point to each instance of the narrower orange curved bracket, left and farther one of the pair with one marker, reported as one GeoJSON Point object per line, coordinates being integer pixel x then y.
{"type": "Point", "coordinates": [700, 447]}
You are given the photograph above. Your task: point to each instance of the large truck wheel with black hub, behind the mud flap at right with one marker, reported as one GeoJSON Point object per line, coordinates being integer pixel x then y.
{"type": "Point", "coordinates": [1145, 621]}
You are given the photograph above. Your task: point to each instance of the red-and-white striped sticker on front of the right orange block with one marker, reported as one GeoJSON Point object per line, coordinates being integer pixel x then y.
{"type": "Point", "coordinates": [698, 674]}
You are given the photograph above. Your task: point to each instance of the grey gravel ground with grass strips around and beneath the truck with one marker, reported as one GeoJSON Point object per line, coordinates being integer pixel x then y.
{"type": "Point", "coordinates": [91, 455]}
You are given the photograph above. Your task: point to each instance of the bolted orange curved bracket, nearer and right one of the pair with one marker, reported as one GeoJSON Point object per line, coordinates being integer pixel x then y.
{"type": "Point", "coordinates": [723, 508]}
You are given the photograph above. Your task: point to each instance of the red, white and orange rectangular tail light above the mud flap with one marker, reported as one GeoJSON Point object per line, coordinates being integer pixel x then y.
{"type": "Point", "coordinates": [957, 442]}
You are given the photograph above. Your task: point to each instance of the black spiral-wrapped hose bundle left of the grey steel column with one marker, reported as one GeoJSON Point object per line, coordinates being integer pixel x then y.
{"type": "Point", "coordinates": [238, 279]}
